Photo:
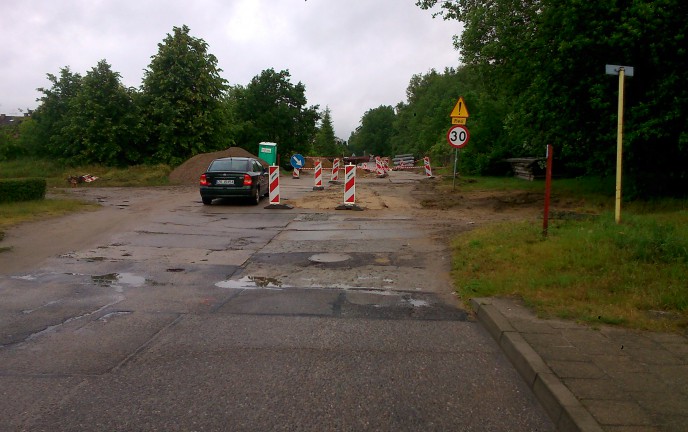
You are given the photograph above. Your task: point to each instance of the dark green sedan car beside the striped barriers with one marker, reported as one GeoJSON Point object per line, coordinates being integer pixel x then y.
{"type": "Point", "coordinates": [234, 177]}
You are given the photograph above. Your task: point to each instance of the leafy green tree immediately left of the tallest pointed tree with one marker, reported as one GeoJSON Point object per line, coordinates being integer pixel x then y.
{"type": "Point", "coordinates": [102, 123]}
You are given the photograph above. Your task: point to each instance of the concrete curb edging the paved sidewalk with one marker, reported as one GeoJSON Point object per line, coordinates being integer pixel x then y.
{"type": "Point", "coordinates": [567, 413]}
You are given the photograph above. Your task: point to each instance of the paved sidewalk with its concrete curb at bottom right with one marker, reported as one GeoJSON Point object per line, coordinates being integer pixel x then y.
{"type": "Point", "coordinates": [594, 380]}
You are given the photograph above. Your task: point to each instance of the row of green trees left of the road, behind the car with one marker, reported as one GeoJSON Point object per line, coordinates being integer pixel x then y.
{"type": "Point", "coordinates": [184, 107]}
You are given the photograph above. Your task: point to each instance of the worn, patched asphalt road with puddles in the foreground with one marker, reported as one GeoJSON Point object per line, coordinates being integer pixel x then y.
{"type": "Point", "coordinates": [235, 317]}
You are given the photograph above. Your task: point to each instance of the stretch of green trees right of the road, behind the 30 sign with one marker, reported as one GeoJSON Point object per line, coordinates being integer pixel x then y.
{"type": "Point", "coordinates": [533, 73]}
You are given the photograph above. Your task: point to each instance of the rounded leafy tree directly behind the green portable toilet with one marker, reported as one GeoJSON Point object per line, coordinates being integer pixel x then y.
{"type": "Point", "coordinates": [271, 108]}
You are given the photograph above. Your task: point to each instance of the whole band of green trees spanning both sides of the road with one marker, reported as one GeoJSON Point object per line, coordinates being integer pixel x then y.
{"type": "Point", "coordinates": [532, 73]}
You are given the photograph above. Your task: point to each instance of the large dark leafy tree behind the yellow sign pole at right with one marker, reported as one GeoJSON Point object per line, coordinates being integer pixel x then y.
{"type": "Point", "coordinates": [547, 57]}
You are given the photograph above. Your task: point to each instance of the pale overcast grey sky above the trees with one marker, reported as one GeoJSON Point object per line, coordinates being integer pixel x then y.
{"type": "Point", "coordinates": [352, 55]}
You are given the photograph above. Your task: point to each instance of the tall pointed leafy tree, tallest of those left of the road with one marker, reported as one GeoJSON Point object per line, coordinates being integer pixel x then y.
{"type": "Point", "coordinates": [182, 100]}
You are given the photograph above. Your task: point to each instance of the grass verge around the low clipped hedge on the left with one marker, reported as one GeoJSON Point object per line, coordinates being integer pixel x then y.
{"type": "Point", "coordinates": [57, 202]}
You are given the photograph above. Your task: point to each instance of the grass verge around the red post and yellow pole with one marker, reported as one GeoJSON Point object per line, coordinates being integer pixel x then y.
{"type": "Point", "coordinates": [634, 274]}
